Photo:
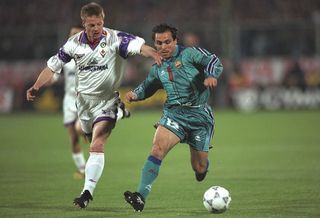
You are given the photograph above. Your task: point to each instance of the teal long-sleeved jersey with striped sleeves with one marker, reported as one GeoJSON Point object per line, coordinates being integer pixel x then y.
{"type": "Point", "coordinates": [182, 77]}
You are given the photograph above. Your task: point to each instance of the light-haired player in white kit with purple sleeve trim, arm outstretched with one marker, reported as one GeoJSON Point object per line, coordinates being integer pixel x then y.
{"type": "Point", "coordinates": [100, 55]}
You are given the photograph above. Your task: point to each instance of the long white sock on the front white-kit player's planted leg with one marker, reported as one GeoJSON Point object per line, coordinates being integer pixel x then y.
{"type": "Point", "coordinates": [94, 168]}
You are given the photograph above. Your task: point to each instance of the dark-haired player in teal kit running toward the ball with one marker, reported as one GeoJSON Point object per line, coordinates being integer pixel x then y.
{"type": "Point", "coordinates": [187, 75]}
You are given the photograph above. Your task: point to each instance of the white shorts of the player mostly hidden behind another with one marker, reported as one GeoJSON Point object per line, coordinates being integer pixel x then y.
{"type": "Point", "coordinates": [69, 109]}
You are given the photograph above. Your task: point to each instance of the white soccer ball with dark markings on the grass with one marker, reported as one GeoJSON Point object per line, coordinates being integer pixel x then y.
{"type": "Point", "coordinates": [216, 199]}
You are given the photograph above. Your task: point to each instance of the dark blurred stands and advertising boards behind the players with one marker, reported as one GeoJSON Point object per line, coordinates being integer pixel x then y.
{"type": "Point", "coordinates": [270, 48]}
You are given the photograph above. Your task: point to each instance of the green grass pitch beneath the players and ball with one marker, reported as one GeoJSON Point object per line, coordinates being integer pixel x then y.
{"type": "Point", "coordinates": [269, 161]}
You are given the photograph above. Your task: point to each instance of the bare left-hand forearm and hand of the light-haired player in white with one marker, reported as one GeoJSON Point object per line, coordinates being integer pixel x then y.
{"type": "Point", "coordinates": [43, 78]}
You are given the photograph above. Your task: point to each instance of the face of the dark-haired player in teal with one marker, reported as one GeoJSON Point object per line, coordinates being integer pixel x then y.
{"type": "Point", "coordinates": [165, 44]}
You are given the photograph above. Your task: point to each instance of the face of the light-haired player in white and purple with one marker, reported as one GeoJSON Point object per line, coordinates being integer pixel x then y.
{"type": "Point", "coordinates": [93, 26]}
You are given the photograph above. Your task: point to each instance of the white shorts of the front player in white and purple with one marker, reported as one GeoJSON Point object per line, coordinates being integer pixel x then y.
{"type": "Point", "coordinates": [92, 109]}
